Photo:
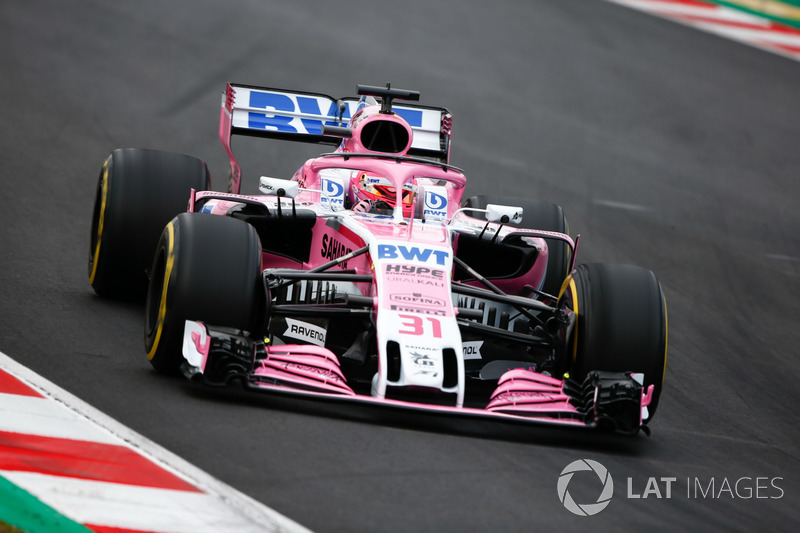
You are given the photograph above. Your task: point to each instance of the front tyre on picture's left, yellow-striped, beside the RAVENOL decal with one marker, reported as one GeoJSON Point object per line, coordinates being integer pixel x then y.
{"type": "Point", "coordinates": [206, 268]}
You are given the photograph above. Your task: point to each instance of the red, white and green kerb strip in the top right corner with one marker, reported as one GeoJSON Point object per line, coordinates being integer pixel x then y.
{"type": "Point", "coordinates": [771, 25]}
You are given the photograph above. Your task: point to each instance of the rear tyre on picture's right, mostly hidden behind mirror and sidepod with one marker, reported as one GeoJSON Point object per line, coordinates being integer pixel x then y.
{"type": "Point", "coordinates": [541, 215]}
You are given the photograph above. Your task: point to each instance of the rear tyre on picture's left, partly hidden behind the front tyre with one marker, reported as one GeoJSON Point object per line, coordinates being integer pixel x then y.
{"type": "Point", "coordinates": [138, 192]}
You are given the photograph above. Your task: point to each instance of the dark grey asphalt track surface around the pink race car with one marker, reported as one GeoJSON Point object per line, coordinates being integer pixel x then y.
{"type": "Point", "coordinates": [668, 148]}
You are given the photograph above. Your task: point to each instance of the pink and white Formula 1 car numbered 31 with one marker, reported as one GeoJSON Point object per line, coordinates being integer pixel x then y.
{"type": "Point", "coordinates": [368, 277]}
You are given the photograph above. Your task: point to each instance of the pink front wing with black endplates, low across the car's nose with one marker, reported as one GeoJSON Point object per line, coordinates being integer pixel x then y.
{"type": "Point", "coordinates": [613, 401]}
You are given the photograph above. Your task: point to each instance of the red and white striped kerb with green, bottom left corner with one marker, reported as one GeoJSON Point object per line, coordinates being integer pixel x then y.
{"type": "Point", "coordinates": [64, 466]}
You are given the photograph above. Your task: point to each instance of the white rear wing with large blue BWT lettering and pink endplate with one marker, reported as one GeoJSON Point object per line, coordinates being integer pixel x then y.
{"type": "Point", "coordinates": [299, 116]}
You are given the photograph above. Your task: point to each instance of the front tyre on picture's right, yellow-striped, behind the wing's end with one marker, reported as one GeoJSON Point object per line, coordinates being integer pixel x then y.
{"type": "Point", "coordinates": [621, 323]}
